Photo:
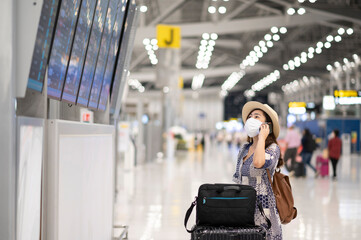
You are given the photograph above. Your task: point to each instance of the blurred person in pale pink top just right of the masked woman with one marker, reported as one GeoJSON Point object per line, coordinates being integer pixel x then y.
{"type": "Point", "coordinates": [293, 141]}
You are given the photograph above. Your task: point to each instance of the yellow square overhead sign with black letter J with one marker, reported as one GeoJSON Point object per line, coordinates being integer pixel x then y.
{"type": "Point", "coordinates": [168, 36]}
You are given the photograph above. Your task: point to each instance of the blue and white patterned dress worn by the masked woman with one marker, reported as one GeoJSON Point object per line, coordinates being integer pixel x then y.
{"type": "Point", "coordinates": [247, 174]}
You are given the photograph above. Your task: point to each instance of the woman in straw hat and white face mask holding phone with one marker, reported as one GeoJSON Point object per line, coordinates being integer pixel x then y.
{"type": "Point", "coordinates": [261, 152]}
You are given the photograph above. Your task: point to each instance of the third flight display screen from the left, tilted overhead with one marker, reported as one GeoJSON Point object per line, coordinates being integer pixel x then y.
{"type": "Point", "coordinates": [78, 51]}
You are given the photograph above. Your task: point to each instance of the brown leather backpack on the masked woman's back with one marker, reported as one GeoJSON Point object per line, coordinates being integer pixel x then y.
{"type": "Point", "coordinates": [283, 194]}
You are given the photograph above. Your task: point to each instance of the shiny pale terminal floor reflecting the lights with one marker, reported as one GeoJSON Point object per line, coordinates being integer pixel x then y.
{"type": "Point", "coordinates": [152, 198]}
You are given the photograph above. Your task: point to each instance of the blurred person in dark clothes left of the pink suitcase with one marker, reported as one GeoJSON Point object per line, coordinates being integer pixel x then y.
{"type": "Point", "coordinates": [308, 146]}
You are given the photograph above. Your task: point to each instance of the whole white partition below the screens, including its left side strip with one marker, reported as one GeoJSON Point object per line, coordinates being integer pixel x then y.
{"type": "Point", "coordinates": [79, 181]}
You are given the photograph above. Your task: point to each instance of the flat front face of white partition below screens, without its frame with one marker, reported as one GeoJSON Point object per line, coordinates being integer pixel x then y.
{"type": "Point", "coordinates": [85, 187]}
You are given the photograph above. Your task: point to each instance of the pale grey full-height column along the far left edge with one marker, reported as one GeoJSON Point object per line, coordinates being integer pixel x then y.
{"type": "Point", "coordinates": [7, 119]}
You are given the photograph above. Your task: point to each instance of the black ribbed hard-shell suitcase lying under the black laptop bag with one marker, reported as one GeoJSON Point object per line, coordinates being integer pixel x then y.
{"type": "Point", "coordinates": [227, 233]}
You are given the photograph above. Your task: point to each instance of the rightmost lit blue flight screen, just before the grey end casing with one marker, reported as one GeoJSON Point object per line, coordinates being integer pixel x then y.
{"type": "Point", "coordinates": [113, 50]}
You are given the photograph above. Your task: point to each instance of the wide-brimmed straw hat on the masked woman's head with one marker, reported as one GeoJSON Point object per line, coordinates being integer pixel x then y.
{"type": "Point", "coordinates": [250, 106]}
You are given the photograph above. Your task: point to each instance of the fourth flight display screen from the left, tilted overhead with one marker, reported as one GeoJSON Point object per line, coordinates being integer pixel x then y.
{"type": "Point", "coordinates": [92, 52]}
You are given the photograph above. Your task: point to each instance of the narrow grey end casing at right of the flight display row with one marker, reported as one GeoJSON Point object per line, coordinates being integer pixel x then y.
{"type": "Point", "coordinates": [124, 56]}
